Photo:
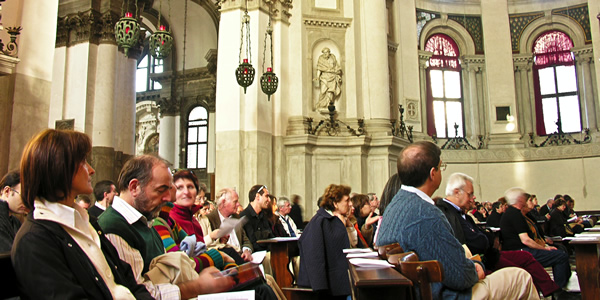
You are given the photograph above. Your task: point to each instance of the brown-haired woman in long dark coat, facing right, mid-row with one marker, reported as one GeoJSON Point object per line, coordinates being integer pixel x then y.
{"type": "Point", "coordinates": [323, 266]}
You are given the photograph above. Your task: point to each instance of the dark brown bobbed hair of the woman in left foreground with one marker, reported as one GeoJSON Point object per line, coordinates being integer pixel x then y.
{"type": "Point", "coordinates": [49, 162]}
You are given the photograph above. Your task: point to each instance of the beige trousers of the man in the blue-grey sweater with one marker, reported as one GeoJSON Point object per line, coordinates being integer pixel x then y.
{"type": "Point", "coordinates": [506, 283]}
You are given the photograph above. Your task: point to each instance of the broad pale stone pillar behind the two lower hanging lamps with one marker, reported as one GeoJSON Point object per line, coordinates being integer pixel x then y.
{"type": "Point", "coordinates": [245, 132]}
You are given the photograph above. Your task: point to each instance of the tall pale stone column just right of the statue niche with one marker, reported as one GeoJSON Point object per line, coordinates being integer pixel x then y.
{"type": "Point", "coordinates": [376, 80]}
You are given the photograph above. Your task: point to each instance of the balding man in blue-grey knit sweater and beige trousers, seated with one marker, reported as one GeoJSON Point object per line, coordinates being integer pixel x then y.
{"type": "Point", "coordinates": [413, 221]}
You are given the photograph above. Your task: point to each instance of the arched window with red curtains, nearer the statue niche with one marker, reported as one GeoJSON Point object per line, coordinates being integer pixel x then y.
{"type": "Point", "coordinates": [444, 90]}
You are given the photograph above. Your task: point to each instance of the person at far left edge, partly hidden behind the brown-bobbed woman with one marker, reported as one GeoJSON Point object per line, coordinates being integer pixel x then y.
{"type": "Point", "coordinates": [11, 205]}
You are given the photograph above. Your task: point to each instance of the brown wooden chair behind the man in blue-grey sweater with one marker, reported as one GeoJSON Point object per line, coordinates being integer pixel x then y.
{"type": "Point", "coordinates": [422, 273]}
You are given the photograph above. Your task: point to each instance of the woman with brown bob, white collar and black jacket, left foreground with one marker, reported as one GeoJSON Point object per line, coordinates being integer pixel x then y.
{"type": "Point", "coordinates": [58, 253]}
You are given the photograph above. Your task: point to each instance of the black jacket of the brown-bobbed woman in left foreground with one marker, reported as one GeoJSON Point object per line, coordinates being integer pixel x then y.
{"type": "Point", "coordinates": [49, 264]}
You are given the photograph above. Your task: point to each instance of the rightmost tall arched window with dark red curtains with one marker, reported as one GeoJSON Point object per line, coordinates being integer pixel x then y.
{"type": "Point", "coordinates": [555, 84]}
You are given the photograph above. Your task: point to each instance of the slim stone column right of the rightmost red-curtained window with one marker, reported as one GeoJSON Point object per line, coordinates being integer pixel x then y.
{"type": "Point", "coordinates": [584, 59]}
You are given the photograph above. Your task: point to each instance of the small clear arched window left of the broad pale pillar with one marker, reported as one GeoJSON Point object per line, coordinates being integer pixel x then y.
{"type": "Point", "coordinates": [197, 138]}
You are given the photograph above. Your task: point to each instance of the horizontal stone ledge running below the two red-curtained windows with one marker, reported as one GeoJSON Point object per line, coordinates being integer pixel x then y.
{"type": "Point", "coordinates": [521, 154]}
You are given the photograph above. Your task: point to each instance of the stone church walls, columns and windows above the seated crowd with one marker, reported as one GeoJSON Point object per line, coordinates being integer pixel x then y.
{"type": "Point", "coordinates": [507, 88]}
